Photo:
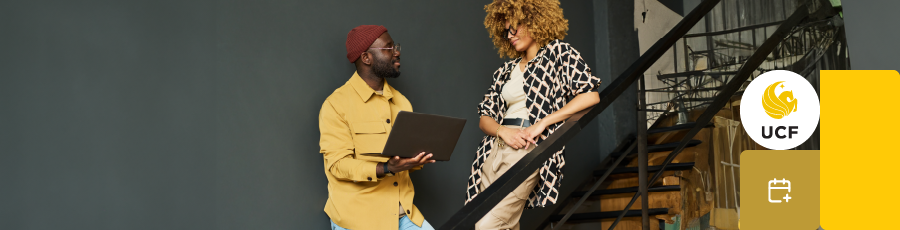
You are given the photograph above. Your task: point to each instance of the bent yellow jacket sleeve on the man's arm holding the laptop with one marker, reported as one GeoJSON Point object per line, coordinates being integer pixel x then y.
{"type": "Point", "coordinates": [336, 146]}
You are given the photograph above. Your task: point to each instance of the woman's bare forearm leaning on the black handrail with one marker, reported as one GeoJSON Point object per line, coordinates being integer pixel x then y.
{"type": "Point", "coordinates": [580, 102]}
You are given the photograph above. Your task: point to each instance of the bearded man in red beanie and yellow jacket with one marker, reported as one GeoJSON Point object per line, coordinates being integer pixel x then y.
{"type": "Point", "coordinates": [366, 190]}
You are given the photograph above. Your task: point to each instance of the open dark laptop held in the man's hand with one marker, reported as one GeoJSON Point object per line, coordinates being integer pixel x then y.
{"type": "Point", "coordinates": [414, 133]}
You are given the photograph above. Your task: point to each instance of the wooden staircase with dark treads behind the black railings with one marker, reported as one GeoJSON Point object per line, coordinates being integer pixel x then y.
{"type": "Point", "coordinates": [603, 206]}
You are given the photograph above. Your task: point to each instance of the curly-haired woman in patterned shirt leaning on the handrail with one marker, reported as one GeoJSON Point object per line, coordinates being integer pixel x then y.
{"type": "Point", "coordinates": [530, 98]}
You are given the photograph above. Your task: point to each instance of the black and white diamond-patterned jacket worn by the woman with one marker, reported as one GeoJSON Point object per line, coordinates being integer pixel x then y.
{"type": "Point", "coordinates": [552, 78]}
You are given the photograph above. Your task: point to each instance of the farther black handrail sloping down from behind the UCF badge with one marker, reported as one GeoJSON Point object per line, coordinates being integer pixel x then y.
{"type": "Point", "coordinates": [733, 86]}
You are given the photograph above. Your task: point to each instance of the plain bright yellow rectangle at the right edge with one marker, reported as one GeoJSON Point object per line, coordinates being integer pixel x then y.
{"type": "Point", "coordinates": [858, 132]}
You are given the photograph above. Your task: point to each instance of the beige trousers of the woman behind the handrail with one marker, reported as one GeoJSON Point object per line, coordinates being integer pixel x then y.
{"type": "Point", "coordinates": [507, 213]}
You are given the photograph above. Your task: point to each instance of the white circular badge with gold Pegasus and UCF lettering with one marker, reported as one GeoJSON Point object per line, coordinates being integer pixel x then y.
{"type": "Point", "coordinates": [780, 110]}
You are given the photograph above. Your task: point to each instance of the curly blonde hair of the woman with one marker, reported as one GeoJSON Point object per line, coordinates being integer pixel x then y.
{"type": "Point", "coordinates": [543, 18]}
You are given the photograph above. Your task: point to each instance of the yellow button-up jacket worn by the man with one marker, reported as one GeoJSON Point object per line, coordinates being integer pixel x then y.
{"type": "Point", "coordinates": [356, 120]}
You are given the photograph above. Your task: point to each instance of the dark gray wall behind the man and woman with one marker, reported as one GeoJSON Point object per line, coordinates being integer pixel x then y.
{"type": "Point", "coordinates": [203, 114]}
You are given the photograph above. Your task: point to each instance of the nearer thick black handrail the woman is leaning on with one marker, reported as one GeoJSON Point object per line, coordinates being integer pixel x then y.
{"type": "Point", "coordinates": [472, 212]}
